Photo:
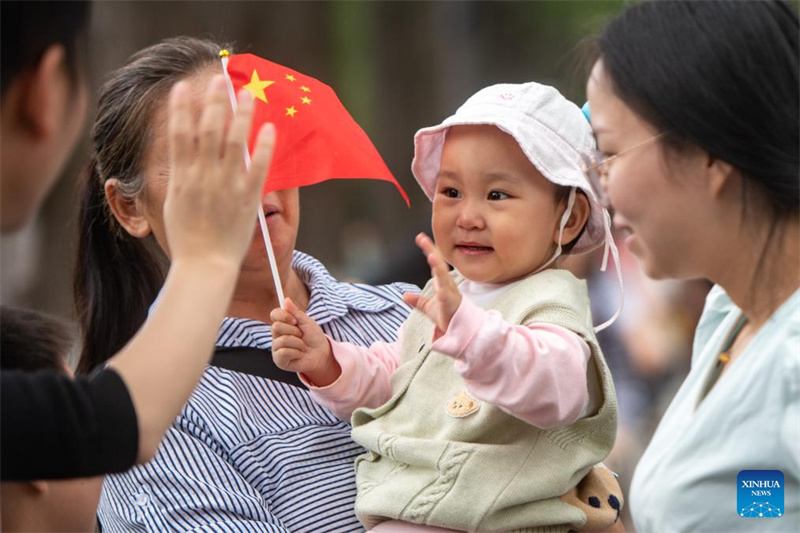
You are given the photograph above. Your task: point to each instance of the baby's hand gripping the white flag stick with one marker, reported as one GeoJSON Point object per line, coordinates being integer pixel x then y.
{"type": "Point", "coordinates": [299, 345]}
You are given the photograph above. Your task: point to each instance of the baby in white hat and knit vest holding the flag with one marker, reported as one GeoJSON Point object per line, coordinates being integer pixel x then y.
{"type": "Point", "coordinates": [496, 399]}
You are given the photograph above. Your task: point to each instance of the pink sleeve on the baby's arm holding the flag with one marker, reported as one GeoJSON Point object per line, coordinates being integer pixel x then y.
{"type": "Point", "coordinates": [365, 377]}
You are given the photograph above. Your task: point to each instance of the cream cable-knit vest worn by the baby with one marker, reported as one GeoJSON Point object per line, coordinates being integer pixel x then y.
{"type": "Point", "coordinates": [488, 471]}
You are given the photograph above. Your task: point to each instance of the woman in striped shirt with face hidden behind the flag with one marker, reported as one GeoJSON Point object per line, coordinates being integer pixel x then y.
{"type": "Point", "coordinates": [250, 450]}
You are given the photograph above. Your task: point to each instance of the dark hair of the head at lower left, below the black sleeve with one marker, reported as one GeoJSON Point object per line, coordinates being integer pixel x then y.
{"type": "Point", "coordinates": [31, 341]}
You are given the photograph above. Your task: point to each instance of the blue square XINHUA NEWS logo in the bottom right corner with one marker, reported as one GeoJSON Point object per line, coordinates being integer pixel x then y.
{"type": "Point", "coordinates": [759, 494]}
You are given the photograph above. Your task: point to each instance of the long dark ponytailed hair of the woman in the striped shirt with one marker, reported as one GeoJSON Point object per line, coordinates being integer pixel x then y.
{"type": "Point", "coordinates": [117, 276]}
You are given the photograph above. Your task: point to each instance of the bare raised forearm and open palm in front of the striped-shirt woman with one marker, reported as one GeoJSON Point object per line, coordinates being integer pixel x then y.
{"type": "Point", "coordinates": [209, 216]}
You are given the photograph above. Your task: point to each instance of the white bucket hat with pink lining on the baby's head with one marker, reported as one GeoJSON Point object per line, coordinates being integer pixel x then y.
{"type": "Point", "coordinates": [550, 130]}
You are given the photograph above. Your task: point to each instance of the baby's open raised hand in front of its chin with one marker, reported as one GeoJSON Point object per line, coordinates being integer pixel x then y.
{"type": "Point", "coordinates": [443, 304]}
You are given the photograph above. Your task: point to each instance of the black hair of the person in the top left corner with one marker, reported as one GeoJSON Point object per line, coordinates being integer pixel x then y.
{"type": "Point", "coordinates": [28, 29]}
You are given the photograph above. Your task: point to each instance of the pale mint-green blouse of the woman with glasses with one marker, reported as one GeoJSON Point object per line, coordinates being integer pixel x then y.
{"type": "Point", "coordinates": [750, 420]}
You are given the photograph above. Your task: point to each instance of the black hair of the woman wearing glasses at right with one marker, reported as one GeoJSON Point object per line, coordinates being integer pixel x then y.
{"type": "Point", "coordinates": [723, 76]}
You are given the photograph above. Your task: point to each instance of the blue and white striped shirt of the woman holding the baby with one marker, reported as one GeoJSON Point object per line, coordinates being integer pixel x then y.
{"type": "Point", "coordinates": [252, 454]}
